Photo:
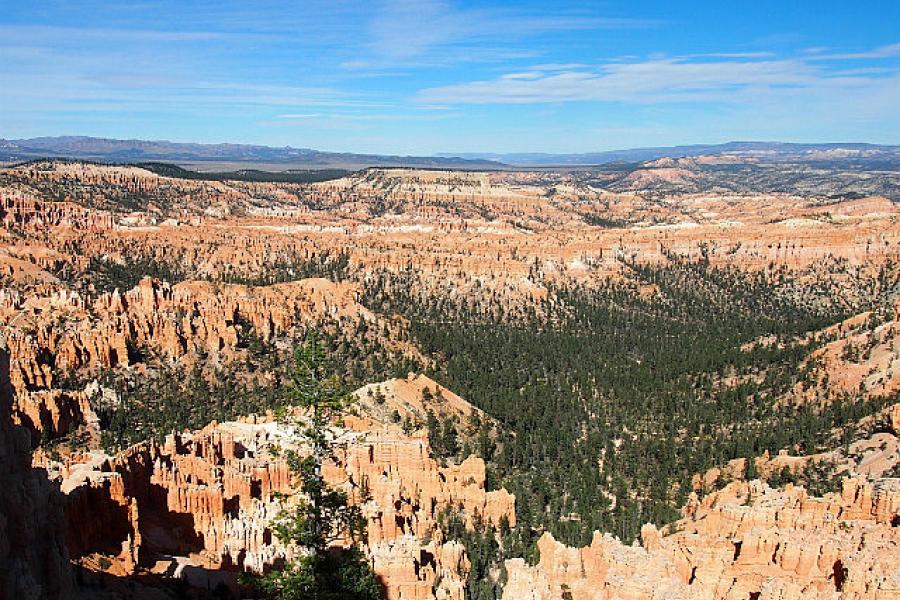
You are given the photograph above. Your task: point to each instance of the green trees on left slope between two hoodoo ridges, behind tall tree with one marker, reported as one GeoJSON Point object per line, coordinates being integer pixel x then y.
{"type": "Point", "coordinates": [171, 397]}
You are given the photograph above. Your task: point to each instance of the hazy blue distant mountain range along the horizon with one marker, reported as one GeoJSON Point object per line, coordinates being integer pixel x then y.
{"type": "Point", "coordinates": [203, 156]}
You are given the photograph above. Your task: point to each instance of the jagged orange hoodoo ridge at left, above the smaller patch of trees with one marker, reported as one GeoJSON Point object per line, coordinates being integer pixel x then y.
{"type": "Point", "coordinates": [61, 333]}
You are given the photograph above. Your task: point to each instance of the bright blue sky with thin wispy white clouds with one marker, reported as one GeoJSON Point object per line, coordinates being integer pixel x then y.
{"type": "Point", "coordinates": [438, 76]}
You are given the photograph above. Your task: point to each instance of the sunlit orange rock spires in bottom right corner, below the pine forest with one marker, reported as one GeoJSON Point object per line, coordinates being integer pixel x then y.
{"type": "Point", "coordinates": [745, 541]}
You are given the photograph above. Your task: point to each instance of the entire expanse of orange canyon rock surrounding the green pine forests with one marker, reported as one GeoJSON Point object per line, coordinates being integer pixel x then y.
{"type": "Point", "coordinates": [199, 506]}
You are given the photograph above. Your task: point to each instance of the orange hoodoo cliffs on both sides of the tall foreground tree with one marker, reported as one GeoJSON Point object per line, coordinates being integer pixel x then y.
{"type": "Point", "coordinates": [211, 497]}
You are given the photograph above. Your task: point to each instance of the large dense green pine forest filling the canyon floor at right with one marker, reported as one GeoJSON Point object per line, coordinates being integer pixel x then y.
{"type": "Point", "coordinates": [609, 400]}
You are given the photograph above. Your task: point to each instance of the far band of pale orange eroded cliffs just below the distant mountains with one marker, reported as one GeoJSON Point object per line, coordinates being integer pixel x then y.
{"type": "Point", "coordinates": [452, 226]}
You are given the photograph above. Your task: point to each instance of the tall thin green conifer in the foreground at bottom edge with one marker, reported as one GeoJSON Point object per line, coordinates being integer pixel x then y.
{"type": "Point", "coordinates": [325, 571]}
